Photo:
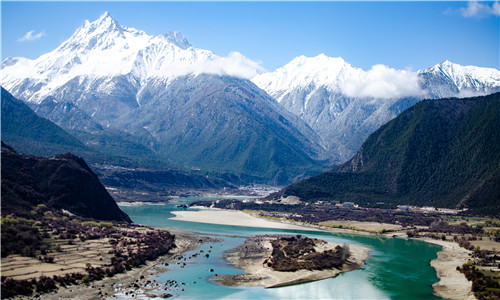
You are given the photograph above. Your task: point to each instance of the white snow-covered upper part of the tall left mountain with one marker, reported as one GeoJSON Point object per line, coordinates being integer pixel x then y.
{"type": "Point", "coordinates": [105, 49]}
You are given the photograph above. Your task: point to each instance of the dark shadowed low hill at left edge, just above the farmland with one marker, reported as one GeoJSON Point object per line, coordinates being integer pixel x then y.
{"type": "Point", "coordinates": [60, 182]}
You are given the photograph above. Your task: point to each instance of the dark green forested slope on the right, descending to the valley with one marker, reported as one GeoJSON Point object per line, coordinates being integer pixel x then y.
{"type": "Point", "coordinates": [441, 153]}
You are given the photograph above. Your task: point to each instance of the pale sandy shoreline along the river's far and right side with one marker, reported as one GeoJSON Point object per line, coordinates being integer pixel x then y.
{"type": "Point", "coordinates": [451, 285]}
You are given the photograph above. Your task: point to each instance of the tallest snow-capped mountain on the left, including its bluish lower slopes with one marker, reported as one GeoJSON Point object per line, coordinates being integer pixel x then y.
{"type": "Point", "coordinates": [126, 93]}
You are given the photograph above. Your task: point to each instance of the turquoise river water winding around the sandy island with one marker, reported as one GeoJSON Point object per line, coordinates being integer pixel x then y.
{"type": "Point", "coordinates": [397, 268]}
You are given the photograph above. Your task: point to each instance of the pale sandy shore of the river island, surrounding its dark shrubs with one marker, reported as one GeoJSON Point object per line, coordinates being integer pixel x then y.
{"type": "Point", "coordinates": [251, 255]}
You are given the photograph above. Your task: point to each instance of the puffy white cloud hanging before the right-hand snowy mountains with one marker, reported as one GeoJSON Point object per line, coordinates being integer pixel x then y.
{"type": "Point", "coordinates": [383, 82]}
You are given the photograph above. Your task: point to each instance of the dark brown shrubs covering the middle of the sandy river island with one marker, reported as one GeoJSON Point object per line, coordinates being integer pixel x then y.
{"type": "Point", "coordinates": [298, 253]}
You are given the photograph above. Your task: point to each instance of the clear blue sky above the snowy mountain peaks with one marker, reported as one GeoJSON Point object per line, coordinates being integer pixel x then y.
{"type": "Point", "coordinates": [401, 35]}
